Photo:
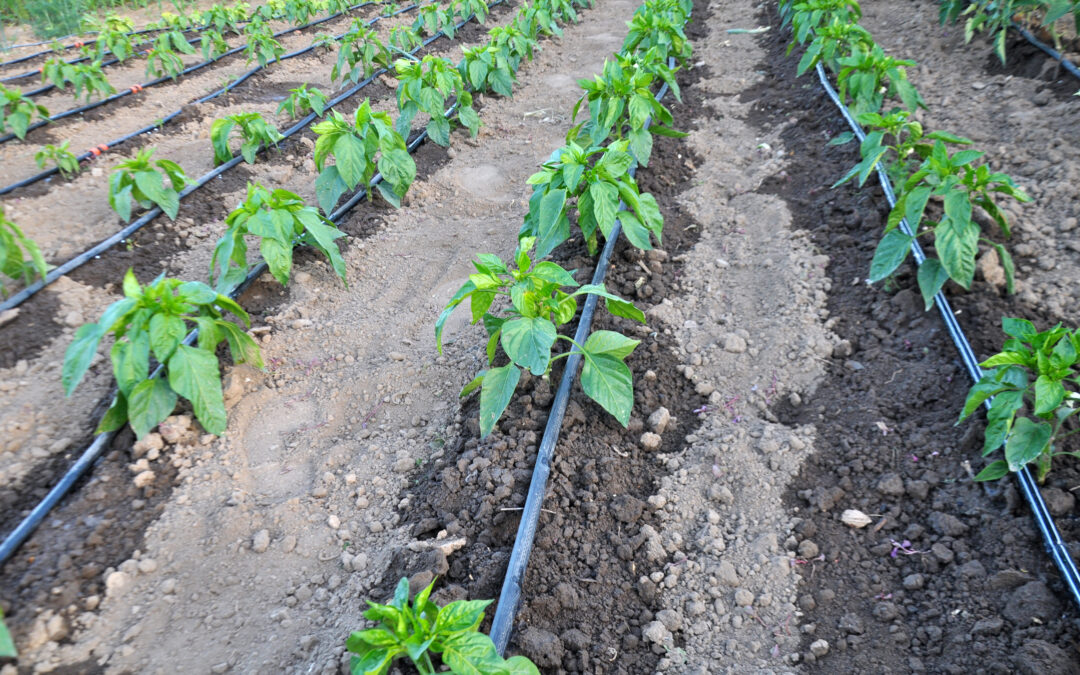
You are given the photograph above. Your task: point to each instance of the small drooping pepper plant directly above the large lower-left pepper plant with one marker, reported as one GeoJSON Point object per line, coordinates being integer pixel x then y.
{"type": "Point", "coordinates": [137, 179]}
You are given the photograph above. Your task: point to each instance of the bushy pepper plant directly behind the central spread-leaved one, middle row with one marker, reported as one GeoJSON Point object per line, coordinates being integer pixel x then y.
{"type": "Point", "coordinates": [596, 182]}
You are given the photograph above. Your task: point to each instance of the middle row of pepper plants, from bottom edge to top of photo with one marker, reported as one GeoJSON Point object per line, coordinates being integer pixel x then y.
{"type": "Point", "coordinates": [590, 180]}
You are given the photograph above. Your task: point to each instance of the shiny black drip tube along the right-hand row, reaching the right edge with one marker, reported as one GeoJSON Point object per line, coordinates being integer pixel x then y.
{"type": "Point", "coordinates": [1051, 537]}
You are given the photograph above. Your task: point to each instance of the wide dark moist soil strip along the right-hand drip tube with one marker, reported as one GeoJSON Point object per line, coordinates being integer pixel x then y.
{"type": "Point", "coordinates": [979, 587]}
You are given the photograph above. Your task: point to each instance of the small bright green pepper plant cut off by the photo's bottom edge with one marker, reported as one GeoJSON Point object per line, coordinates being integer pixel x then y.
{"type": "Point", "coordinates": [423, 630]}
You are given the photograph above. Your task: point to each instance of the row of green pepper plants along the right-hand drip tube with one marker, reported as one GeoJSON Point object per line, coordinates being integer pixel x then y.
{"type": "Point", "coordinates": [1032, 387]}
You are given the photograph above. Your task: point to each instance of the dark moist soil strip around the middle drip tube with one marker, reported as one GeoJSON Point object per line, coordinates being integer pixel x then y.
{"type": "Point", "coordinates": [583, 611]}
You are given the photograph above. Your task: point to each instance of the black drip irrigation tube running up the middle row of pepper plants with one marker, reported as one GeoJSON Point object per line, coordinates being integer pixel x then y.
{"type": "Point", "coordinates": [510, 597]}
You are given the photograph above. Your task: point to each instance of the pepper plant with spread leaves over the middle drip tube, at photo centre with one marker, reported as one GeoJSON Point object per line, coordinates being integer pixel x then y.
{"type": "Point", "coordinates": [543, 296]}
